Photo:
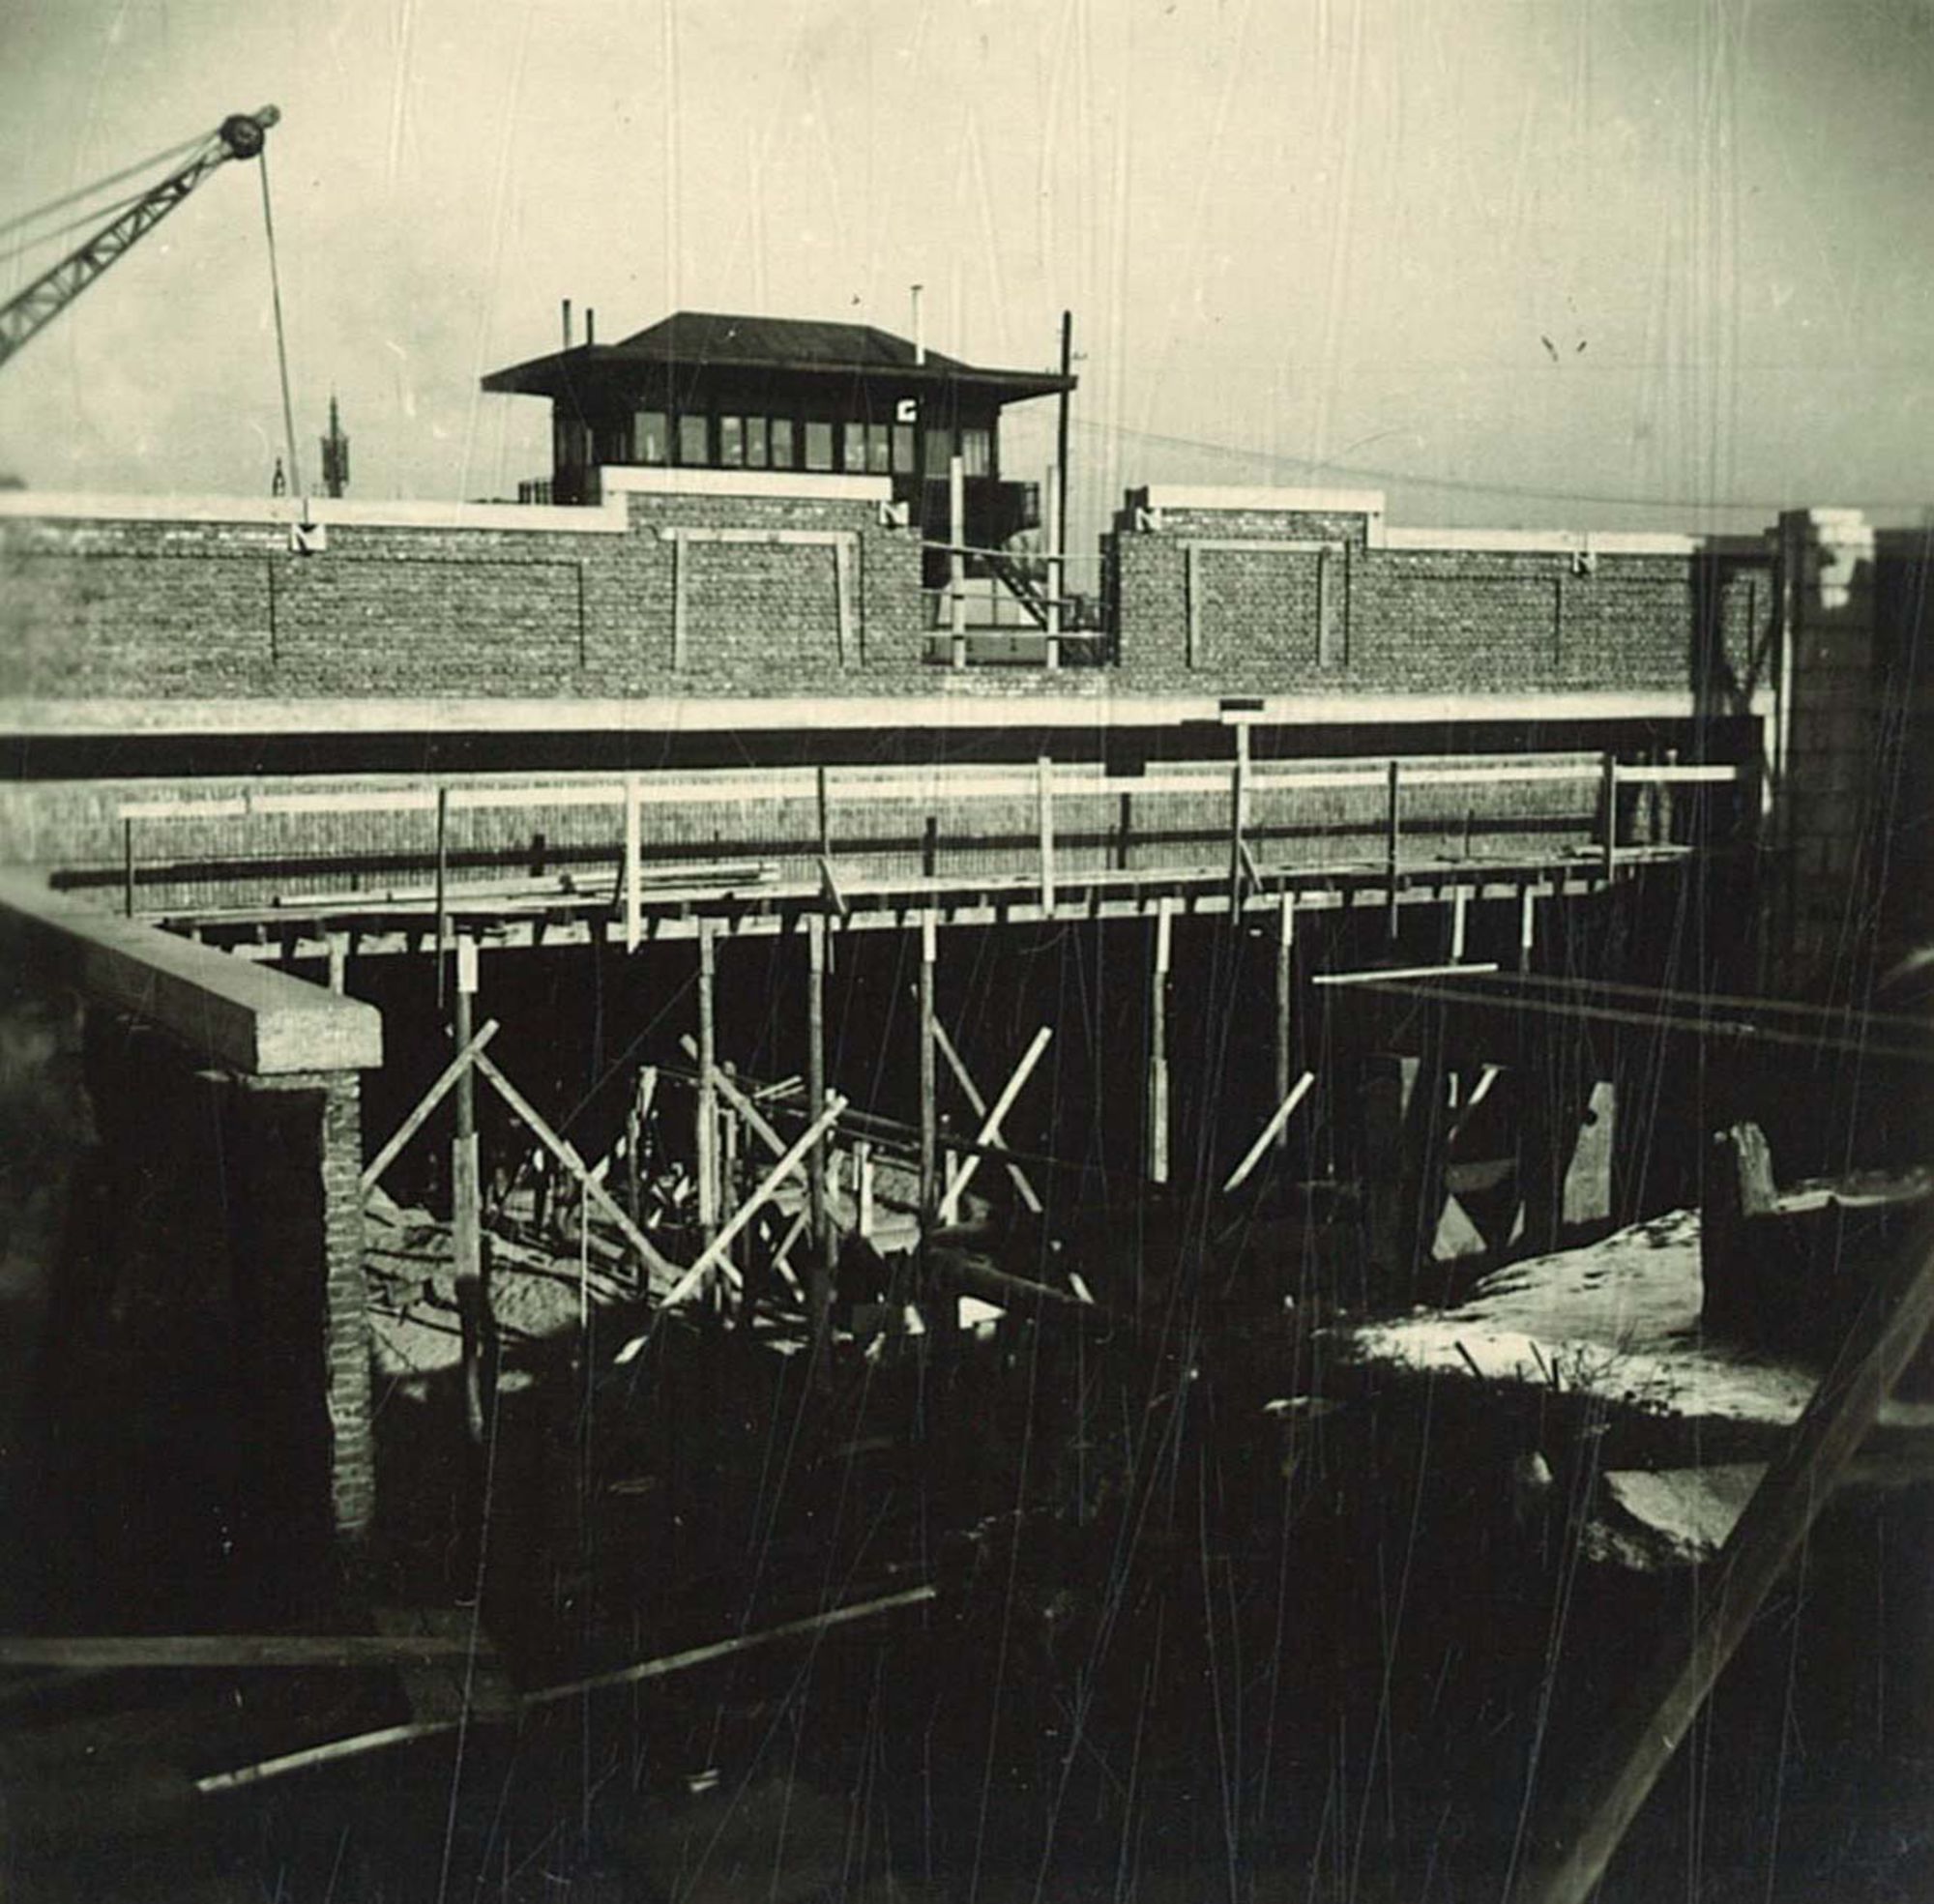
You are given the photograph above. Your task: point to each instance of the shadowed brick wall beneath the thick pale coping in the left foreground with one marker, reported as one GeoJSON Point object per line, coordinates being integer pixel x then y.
{"type": "Point", "coordinates": [206, 1384]}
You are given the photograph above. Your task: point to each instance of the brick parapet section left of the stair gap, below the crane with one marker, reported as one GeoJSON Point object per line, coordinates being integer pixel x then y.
{"type": "Point", "coordinates": [223, 609]}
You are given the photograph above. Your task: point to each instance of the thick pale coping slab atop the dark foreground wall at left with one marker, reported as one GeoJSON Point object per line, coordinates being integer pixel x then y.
{"type": "Point", "coordinates": [245, 1017]}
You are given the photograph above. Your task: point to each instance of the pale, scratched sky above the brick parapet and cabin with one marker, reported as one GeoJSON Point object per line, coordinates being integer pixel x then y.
{"type": "Point", "coordinates": [1643, 264]}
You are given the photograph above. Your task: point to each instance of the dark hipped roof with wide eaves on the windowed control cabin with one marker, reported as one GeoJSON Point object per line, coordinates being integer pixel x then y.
{"type": "Point", "coordinates": [701, 342]}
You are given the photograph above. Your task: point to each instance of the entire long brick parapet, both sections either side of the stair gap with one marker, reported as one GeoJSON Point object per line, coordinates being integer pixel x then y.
{"type": "Point", "coordinates": [1212, 597]}
